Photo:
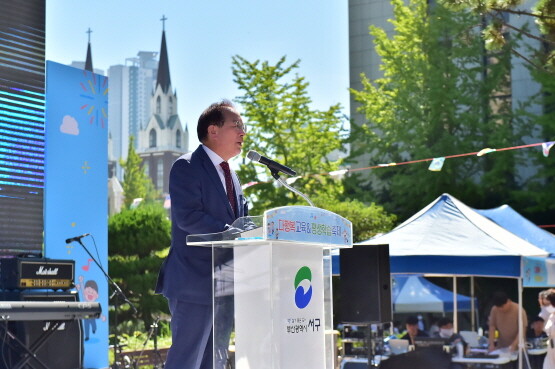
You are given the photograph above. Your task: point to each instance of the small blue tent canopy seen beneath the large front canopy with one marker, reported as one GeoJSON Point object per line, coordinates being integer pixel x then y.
{"type": "Point", "coordinates": [411, 294]}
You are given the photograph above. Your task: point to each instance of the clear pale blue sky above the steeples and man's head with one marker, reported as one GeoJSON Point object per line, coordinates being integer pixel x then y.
{"type": "Point", "coordinates": [202, 36]}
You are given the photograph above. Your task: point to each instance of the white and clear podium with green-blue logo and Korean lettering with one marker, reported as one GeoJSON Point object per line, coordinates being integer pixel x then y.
{"type": "Point", "coordinates": [272, 288]}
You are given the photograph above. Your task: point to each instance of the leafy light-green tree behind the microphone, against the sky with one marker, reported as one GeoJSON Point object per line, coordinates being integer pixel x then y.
{"type": "Point", "coordinates": [283, 126]}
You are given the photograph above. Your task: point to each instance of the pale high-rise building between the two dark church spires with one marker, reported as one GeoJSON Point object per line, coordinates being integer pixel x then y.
{"type": "Point", "coordinates": [131, 88]}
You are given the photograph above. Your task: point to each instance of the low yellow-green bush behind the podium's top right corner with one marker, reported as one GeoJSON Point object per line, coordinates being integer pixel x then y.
{"type": "Point", "coordinates": [368, 220]}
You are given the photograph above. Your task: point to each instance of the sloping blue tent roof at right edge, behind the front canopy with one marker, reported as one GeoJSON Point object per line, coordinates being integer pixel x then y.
{"type": "Point", "coordinates": [511, 220]}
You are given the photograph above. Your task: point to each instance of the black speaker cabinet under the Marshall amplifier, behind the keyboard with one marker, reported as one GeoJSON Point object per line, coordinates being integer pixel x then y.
{"type": "Point", "coordinates": [62, 350]}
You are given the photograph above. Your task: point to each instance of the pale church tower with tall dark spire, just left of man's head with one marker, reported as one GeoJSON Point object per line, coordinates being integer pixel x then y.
{"type": "Point", "coordinates": [162, 140]}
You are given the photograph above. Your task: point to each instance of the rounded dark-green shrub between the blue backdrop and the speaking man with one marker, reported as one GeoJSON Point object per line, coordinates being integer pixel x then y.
{"type": "Point", "coordinates": [136, 238]}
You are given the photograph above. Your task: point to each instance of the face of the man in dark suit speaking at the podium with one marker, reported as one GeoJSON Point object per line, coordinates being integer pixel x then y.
{"type": "Point", "coordinates": [227, 140]}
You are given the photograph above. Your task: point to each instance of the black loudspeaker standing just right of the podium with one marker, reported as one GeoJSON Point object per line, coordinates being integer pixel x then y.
{"type": "Point", "coordinates": [365, 285]}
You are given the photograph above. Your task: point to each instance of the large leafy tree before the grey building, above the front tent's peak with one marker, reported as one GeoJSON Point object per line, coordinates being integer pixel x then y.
{"type": "Point", "coordinates": [440, 94]}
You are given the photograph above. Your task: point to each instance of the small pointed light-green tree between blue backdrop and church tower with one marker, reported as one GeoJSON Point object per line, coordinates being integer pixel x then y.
{"type": "Point", "coordinates": [136, 184]}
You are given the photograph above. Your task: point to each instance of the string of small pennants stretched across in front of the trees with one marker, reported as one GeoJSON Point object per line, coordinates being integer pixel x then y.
{"type": "Point", "coordinates": [436, 163]}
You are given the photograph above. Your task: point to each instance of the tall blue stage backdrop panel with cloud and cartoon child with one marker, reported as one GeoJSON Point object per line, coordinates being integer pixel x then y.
{"type": "Point", "coordinates": [76, 187]}
